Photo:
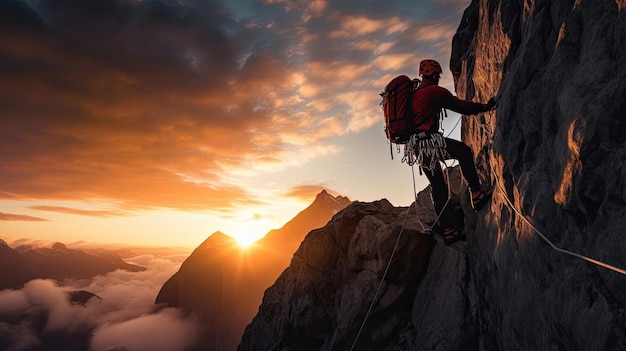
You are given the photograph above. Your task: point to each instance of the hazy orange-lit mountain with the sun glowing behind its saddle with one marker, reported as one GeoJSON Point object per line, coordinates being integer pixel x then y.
{"type": "Point", "coordinates": [224, 284]}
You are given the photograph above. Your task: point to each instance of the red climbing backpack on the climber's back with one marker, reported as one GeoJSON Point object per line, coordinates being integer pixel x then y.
{"type": "Point", "coordinates": [397, 109]}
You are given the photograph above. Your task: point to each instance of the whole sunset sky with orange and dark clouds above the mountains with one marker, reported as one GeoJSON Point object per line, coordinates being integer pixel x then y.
{"type": "Point", "coordinates": [160, 122]}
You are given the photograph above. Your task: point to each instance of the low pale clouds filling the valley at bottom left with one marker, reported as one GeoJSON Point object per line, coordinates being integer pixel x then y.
{"type": "Point", "coordinates": [40, 316]}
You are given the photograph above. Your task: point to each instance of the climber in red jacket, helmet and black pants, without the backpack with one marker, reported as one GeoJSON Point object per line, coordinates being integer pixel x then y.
{"type": "Point", "coordinates": [428, 100]}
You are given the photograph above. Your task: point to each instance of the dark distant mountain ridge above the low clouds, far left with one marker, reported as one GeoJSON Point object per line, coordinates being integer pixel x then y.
{"type": "Point", "coordinates": [26, 262]}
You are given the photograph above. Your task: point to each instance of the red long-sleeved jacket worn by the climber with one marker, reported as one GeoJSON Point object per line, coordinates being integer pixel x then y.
{"type": "Point", "coordinates": [430, 98]}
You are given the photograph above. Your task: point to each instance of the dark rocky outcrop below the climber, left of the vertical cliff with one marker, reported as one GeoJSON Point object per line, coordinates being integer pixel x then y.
{"type": "Point", "coordinates": [321, 301]}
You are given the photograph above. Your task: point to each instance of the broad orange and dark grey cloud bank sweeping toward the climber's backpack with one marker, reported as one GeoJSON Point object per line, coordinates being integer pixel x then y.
{"type": "Point", "coordinates": [167, 105]}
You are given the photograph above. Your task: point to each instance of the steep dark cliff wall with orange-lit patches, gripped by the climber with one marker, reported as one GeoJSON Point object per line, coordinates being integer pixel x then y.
{"type": "Point", "coordinates": [558, 151]}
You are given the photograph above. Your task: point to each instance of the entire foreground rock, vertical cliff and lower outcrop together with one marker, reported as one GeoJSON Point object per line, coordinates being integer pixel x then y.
{"type": "Point", "coordinates": [554, 150]}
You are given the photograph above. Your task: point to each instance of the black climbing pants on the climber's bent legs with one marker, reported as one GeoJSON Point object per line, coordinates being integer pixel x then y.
{"type": "Point", "coordinates": [439, 189]}
